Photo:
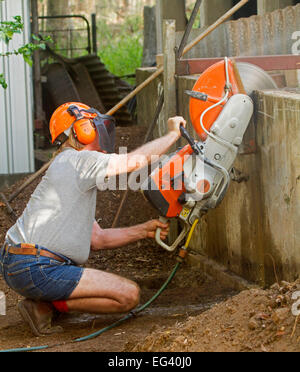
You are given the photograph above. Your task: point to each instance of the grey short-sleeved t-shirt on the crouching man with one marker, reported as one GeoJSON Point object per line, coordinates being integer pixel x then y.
{"type": "Point", "coordinates": [61, 211]}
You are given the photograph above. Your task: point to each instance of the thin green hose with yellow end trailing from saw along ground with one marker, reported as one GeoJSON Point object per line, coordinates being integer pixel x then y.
{"type": "Point", "coordinates": [132, 314]}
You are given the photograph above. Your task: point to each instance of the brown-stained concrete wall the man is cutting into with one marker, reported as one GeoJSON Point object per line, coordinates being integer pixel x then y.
{"type": "Point", "coordinates": [255, 232]}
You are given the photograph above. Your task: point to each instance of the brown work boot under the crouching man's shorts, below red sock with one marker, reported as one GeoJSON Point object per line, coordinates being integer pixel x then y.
{"type": "Point", "coordinates": [38, 315]}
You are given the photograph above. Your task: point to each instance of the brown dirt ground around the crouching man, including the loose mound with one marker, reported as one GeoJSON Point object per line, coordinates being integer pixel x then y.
{"type": "Point", "coordinates": [195, 313]}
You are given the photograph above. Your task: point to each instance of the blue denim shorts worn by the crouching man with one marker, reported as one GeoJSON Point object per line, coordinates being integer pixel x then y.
{"type": "Point", "coordinates": [40, 278]}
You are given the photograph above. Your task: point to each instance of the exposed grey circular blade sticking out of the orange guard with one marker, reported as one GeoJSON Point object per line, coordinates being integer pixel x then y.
{"type": "Point", "coordinates": [255, 78]}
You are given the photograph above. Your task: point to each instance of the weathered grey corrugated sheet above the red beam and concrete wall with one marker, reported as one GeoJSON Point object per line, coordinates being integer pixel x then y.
{"type": "Point", "coordinates": [257, 35]}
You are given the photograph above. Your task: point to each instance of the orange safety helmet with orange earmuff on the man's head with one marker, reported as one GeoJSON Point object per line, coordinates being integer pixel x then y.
{"type": "Point", "coordinates": [62, 120]}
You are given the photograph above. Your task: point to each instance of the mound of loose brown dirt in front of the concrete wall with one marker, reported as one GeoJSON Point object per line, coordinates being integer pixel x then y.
{"type": "Point", "coordinates": [252, 321]}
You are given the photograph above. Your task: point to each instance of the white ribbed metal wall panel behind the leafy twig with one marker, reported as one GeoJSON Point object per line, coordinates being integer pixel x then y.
{"type": "Point", "coordinates": [16, 103]}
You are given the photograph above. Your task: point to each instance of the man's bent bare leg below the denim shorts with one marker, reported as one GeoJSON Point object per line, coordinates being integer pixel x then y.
{"type": "Point", "coordinates": [99, 292]}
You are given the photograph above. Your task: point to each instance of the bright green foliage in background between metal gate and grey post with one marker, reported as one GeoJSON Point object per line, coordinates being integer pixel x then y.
{"type": "Point", "coordinates": [122, 47]}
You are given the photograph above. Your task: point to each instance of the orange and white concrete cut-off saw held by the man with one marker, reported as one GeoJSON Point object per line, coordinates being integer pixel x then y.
{"type": "Point", "coordinates": [195, 179]}
